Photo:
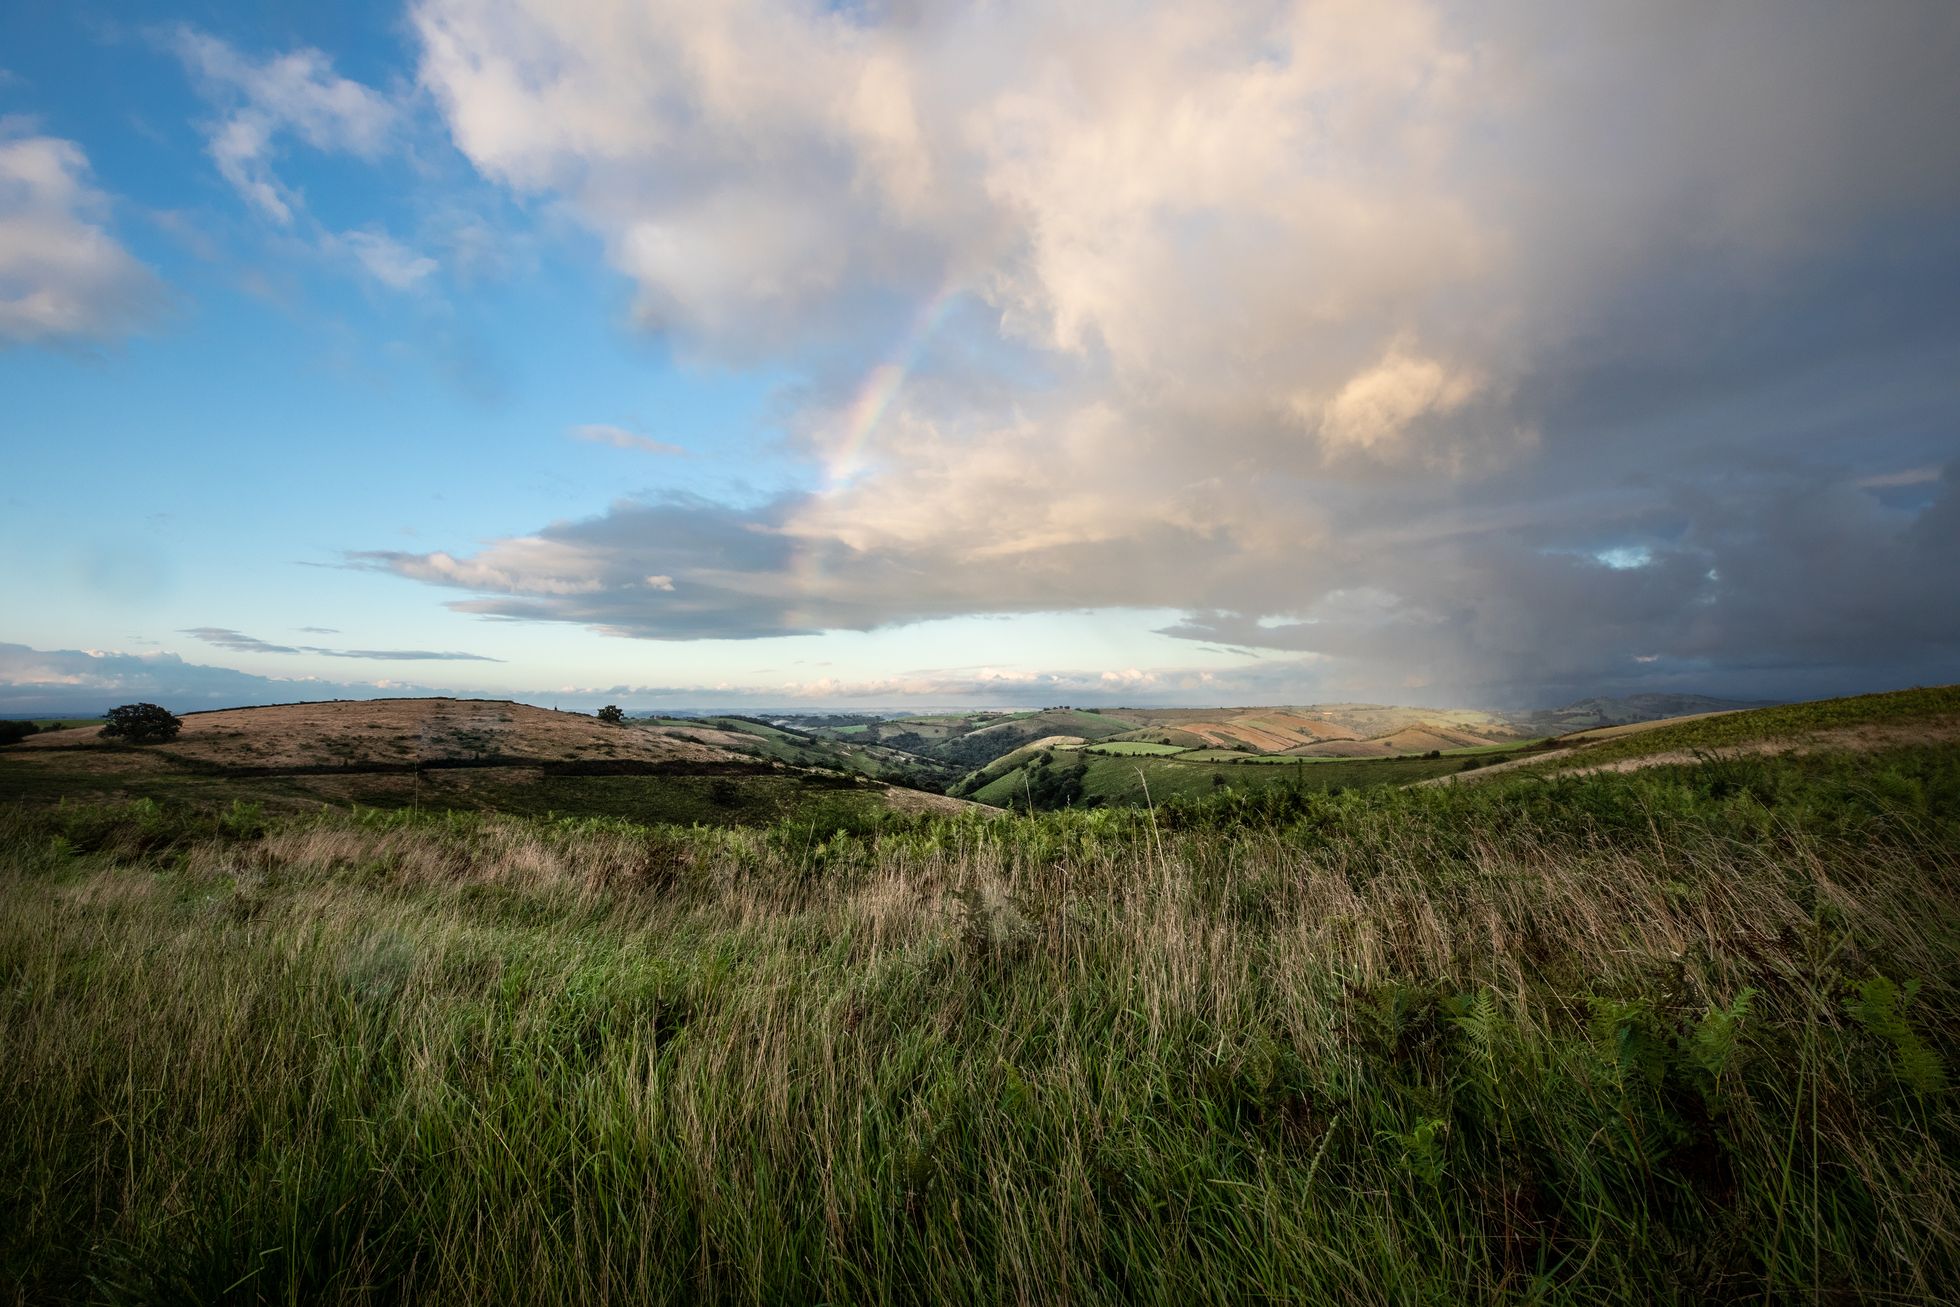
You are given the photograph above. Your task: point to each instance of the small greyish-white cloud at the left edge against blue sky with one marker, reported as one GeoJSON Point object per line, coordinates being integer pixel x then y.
{"type": "Point", "coordinates": [64, 277]}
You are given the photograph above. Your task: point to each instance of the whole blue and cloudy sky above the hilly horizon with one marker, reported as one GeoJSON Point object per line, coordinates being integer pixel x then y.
{"type": "Point", "coordinates": [832, 356]}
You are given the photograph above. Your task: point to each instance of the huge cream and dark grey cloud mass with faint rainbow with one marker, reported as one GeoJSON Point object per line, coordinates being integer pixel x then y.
{"type": "Point", "coordinates": [1344, 328]}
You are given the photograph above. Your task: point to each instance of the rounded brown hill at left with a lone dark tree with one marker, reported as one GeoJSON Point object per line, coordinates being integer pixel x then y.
{"type": "Point", "coordinates": [473, 755]}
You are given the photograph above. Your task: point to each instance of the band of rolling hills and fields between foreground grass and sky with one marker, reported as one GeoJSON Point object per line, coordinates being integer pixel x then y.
{"type": "Point", "coordinates": [738, 769]}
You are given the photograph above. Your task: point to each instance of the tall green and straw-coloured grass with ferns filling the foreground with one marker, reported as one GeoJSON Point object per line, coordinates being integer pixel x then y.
{"type": "Point", "coordinates": [1665, 1038]}
